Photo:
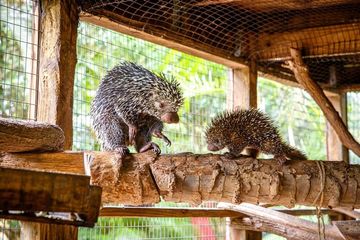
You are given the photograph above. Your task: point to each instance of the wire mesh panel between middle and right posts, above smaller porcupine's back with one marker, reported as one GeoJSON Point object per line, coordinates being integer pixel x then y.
{"type": "Point", "coordinates": [300, 120]}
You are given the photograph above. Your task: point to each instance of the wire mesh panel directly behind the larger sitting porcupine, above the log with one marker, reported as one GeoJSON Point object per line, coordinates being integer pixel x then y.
{"type": "Point", "coordinates": [204, 84]}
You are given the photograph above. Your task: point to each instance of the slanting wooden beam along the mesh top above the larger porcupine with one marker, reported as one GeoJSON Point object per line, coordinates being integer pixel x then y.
{"type": "Point", "coordinates": [186, 46]}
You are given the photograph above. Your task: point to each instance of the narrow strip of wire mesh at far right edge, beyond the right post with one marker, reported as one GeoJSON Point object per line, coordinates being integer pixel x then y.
{"type": "Point", "coordinates": [353, 109]}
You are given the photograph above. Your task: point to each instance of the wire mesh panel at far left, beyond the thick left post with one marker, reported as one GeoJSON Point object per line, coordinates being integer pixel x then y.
{"type": "Point", "coordinates": [19, 46]}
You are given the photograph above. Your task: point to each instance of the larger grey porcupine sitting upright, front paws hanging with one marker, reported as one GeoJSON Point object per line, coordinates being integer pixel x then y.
{"type": "Point", "coordinates": [131, 105]}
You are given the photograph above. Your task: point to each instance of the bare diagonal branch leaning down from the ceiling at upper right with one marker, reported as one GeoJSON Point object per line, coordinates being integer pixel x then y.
{"type": "Point", "coordinates": [301, 73]}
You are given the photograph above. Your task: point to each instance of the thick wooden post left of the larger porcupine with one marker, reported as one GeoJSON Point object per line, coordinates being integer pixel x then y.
{"type": "Point", "coordinates": [59, 22]}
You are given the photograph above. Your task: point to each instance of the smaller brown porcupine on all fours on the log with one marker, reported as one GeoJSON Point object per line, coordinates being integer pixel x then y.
{"type": "Point", "coordinates": [248, 129]}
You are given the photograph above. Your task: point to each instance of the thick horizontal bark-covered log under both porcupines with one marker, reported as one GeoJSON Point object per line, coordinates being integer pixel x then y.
{"type": "Point", "coordinates": [196, 178]}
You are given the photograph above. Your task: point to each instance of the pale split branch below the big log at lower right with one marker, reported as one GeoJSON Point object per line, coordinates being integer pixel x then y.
{"type": "Point", "coordinates": [267, 220]}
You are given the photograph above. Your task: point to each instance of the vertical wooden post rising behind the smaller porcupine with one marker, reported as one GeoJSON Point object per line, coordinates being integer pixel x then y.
{"type": "Point", "coordinates": [244, 95]}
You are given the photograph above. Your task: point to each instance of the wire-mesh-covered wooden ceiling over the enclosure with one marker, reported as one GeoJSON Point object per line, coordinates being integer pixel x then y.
{"type": "Point", "coordinates": [327, 31]}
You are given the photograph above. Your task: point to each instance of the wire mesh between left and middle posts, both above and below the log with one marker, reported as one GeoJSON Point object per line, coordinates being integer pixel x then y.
{"type": "Point", "coordinates": [204, 85]}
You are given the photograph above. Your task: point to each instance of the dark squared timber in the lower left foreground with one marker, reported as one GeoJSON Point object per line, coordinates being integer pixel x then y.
{"type": "Point", "coordinates": [33, 191]}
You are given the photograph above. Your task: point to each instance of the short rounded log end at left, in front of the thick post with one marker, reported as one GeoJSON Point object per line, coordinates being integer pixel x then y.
{"type": "Point", "coordinates": [23, 136]}
